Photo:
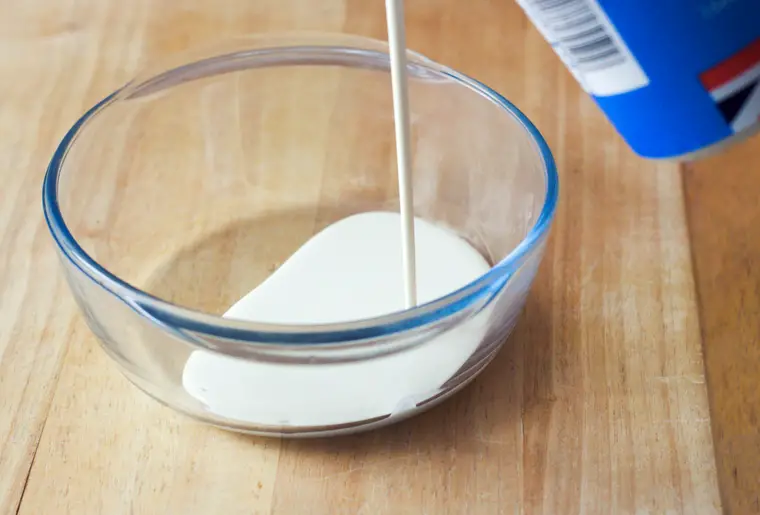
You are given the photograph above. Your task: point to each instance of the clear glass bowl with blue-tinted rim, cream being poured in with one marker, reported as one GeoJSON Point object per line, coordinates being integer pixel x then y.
{"type": "Point", "coordinates": [182, 191]}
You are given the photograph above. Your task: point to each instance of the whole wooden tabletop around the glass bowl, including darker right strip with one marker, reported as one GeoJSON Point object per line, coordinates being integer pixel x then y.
{"type": "Point", "coordinates": [598, 404]}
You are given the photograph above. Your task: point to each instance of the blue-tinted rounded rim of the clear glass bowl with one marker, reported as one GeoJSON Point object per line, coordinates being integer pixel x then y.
{"type": "Point", "coordinates": [190, 324]}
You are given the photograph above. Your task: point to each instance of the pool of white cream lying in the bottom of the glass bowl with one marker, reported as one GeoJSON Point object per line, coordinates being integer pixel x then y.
{"type": "Point", "coordinates": [350, 270]}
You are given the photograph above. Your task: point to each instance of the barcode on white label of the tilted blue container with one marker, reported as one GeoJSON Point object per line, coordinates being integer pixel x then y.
{"type": "Point", "coordinates": [588, 43]}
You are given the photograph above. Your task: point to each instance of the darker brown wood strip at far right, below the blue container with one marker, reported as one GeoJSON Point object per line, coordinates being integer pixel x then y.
{"type": "Point", "coordinates": [724, 218]}
